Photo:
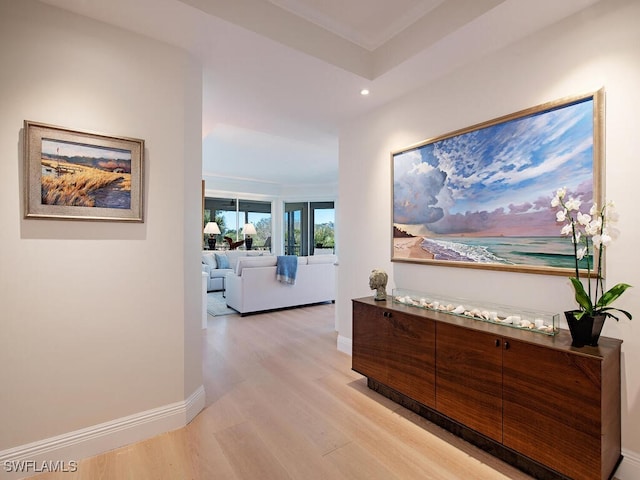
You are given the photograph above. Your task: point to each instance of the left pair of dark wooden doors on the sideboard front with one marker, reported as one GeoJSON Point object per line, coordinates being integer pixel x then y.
{"type": "Point", "coordinates": [396, 349]}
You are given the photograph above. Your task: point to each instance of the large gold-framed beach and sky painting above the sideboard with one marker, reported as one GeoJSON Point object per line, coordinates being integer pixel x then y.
{"type": "Point", "coordinates": [481, 197]}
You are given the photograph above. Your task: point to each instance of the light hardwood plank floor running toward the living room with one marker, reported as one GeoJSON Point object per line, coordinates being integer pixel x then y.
{"type": "Point", "coordinates": [283, 403]}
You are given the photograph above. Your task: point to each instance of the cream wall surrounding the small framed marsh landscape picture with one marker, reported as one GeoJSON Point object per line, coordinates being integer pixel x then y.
{"type": "Point", "coordinates": [99, 320]}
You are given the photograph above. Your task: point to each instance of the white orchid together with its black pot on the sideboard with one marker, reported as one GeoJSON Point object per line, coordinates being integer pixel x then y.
{"type": "Point", "coordinates": [589, 233]}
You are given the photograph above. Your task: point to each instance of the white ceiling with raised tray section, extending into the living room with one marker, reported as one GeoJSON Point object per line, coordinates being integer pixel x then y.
{"type": "Point", "coordinates": [281, 76]}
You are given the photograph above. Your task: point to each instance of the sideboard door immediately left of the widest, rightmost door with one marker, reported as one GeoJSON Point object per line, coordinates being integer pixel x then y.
{"type": "Point", "coordinates": [469, 378]}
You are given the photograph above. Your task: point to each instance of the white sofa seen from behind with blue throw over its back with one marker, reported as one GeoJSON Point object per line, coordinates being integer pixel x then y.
{"type": "Point", "coordinates": [253, 287]}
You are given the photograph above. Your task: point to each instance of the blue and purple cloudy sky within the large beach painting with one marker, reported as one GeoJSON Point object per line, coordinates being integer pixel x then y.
{"type": "Point", "coordinates": [497, 179]}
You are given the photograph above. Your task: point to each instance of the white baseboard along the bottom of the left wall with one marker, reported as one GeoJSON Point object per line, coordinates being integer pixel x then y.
{"type": "Point", "coordinates": [91, 441]}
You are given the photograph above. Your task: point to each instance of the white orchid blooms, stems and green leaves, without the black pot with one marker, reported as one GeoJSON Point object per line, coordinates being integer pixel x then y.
{"type": "Point", "coordinates": [589, 232]}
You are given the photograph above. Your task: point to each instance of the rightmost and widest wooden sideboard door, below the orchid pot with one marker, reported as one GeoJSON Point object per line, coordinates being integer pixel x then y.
{"type": "Point", "coordinates": [552, 409]}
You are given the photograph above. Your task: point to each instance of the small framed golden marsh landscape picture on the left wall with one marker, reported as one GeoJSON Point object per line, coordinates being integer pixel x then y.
{"type": "Point", "coordinates": [82, 176]}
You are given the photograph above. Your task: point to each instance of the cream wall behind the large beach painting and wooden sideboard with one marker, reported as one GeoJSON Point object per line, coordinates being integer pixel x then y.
{"type": "Point", "coordinates": [594, 49]}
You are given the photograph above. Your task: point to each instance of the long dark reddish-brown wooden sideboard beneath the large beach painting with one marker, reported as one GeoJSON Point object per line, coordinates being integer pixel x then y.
{"type": "Point", "coordinates": [548, 408]}
